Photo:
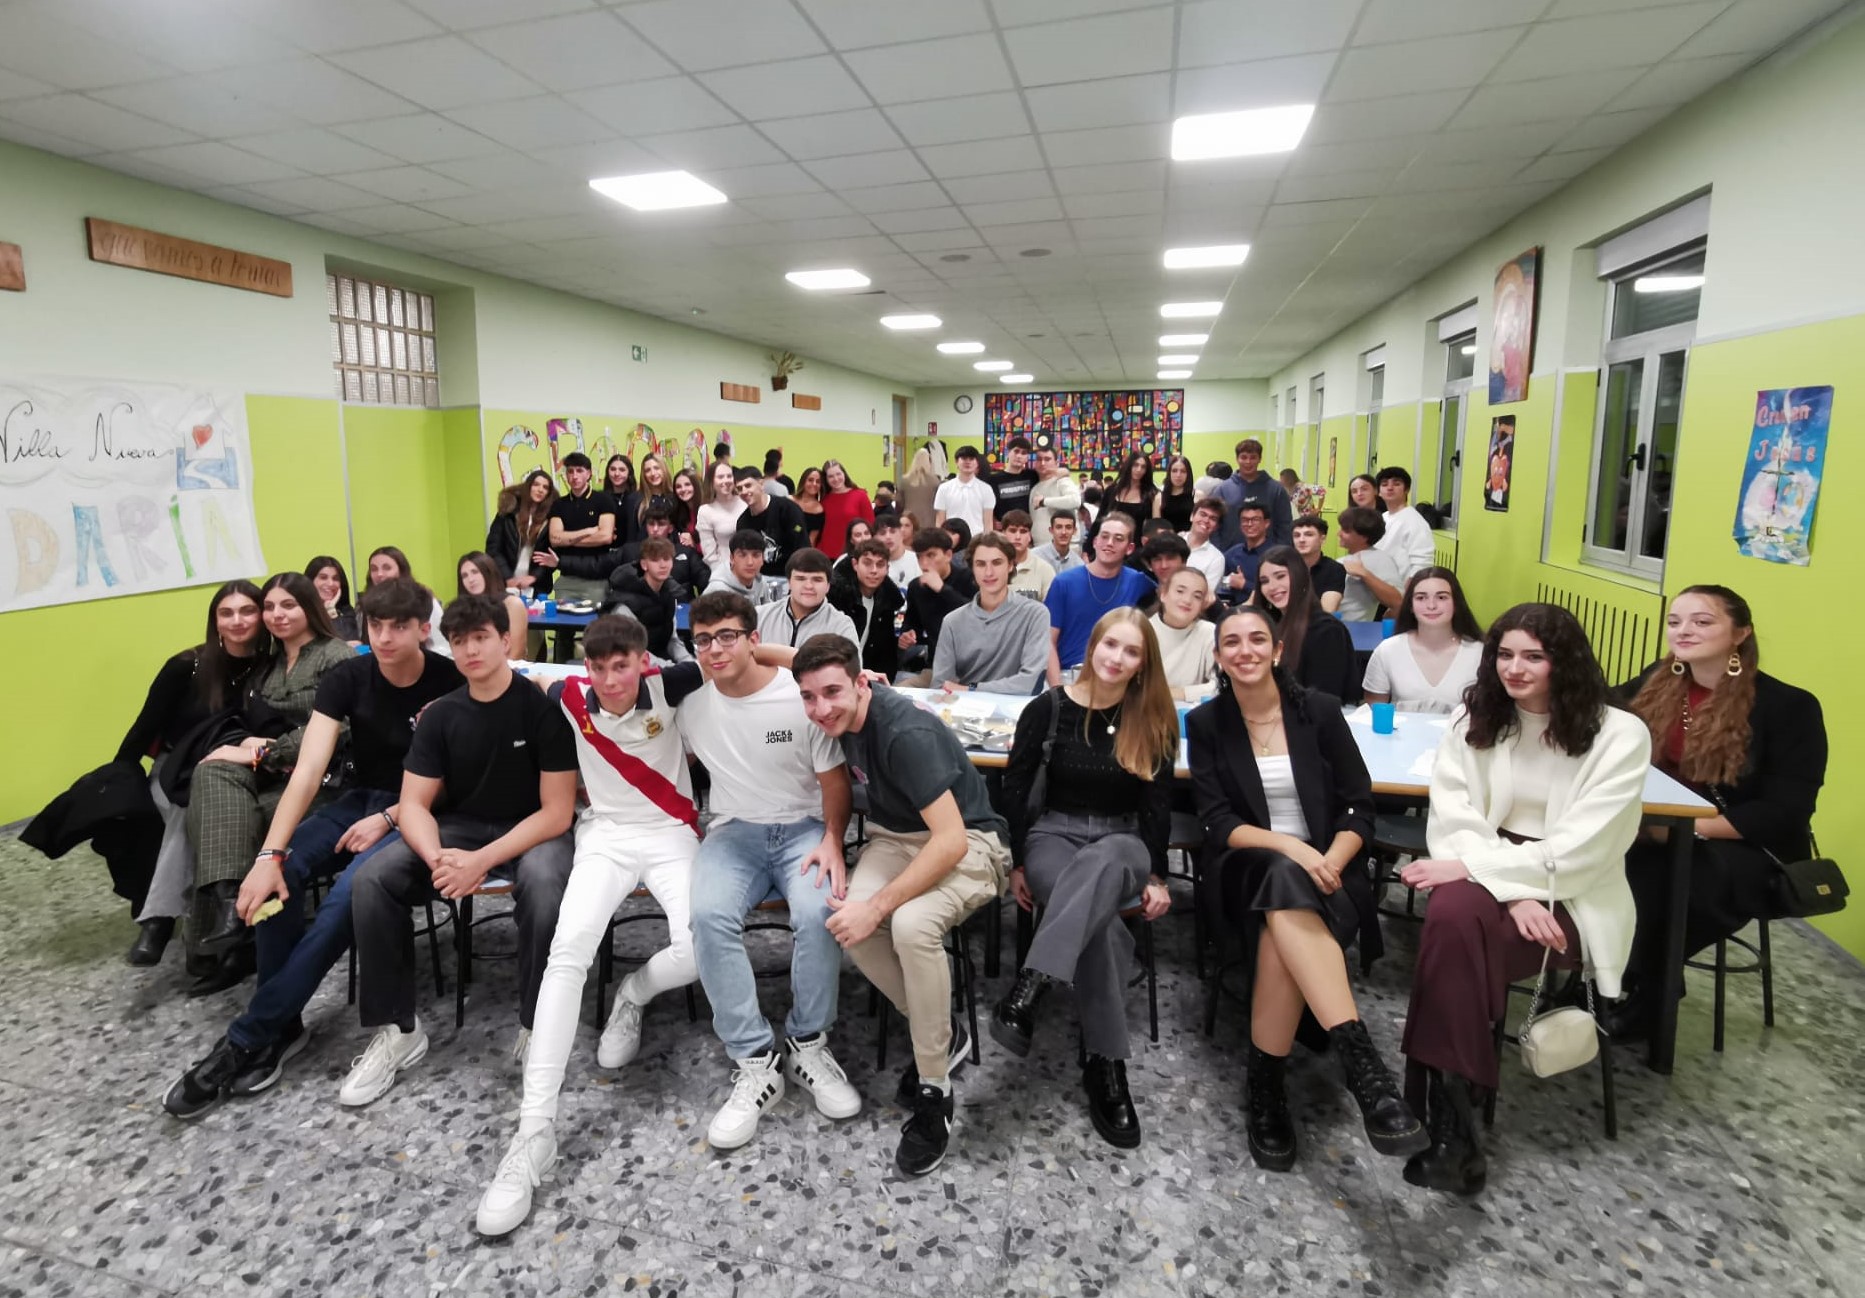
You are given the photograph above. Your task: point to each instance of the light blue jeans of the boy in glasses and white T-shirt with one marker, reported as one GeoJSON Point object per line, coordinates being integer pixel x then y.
{"type": "Point", "coordinates": [739, 866]}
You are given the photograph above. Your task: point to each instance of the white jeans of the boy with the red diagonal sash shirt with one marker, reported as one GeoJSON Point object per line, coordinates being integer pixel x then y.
{"type": "Point", "coordinates": [611, 861]}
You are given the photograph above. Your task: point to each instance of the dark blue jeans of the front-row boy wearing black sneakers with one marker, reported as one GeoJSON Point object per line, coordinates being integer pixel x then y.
{"type": "Point", "coordinates": [292, 958]}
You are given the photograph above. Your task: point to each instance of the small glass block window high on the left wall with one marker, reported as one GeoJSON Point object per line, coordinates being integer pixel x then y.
{"type": "Point", "coordinates": [381, 342]}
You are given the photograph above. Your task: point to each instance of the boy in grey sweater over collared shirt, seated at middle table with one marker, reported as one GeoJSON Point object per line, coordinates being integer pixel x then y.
{"type": "Point", "coordinates": [999, 642]}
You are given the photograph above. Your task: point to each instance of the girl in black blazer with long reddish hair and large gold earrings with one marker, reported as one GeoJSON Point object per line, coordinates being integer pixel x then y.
{"type": "Point", "coordinates": [1748, 743]}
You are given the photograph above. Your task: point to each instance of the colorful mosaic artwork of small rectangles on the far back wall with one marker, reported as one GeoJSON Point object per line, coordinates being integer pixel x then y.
{"type": "Point", "coordinates": [1090, 430]}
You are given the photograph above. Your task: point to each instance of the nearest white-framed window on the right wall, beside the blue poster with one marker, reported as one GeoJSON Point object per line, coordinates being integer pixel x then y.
{"type": "Point", "coordinates": [1651, 316]}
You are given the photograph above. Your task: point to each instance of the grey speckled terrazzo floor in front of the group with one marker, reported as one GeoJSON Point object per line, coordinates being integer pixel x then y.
{"type": "Point", "coordinates": [1741, 1174]}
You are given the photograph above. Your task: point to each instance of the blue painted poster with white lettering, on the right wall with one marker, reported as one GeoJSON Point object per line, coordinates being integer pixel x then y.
{"type": "Point", "coordinates": [1782, 476]}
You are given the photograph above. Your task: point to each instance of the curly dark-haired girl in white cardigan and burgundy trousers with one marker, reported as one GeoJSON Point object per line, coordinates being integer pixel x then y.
{"type": "Point", "coordinates": [1538, 790]}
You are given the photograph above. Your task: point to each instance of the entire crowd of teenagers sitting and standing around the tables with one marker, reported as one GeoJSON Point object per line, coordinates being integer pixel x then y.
{"type": "Point", "coordinates": [428, 766]}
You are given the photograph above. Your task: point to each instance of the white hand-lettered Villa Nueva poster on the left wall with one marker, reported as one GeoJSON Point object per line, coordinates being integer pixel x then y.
{"type": "Point", "coordinates": [120, 490]}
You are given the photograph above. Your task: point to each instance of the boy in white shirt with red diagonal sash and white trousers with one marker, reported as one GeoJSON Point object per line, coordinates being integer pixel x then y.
{"type": "Point", "coordinates": [639, 829]}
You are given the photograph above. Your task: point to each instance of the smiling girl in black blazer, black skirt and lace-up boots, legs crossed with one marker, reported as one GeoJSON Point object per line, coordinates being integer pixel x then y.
{"type": "Point", "coordinates": [1288, 812]}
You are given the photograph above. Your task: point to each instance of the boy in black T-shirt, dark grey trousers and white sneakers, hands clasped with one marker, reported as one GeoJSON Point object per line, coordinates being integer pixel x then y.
{"type": "Point", "coordinates": [490, 786]}
